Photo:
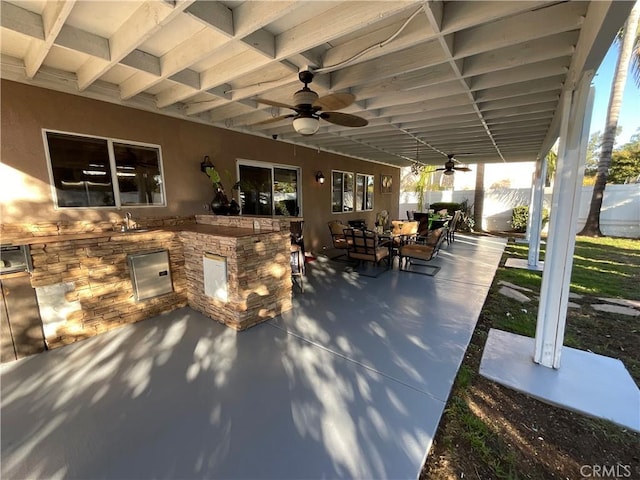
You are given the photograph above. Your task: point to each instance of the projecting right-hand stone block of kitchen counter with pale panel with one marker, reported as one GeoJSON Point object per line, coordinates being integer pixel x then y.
{"type": "Point", "coordinates": [256, 261]}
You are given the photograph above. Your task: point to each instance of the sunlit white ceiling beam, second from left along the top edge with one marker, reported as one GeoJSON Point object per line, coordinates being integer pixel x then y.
{"type": "Point", "coordinates": [145, 21]}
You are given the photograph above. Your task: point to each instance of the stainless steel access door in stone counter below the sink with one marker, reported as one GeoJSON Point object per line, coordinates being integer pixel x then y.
{"type": "Point", "coordinates": [150, 274]}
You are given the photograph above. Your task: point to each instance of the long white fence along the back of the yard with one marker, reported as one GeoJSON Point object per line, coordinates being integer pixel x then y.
{"type": "Point", "coordinates": [619, 216]}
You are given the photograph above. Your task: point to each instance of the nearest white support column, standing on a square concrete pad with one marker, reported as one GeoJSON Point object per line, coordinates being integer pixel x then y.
{"type": "Point", "coordinates": [554, 293]}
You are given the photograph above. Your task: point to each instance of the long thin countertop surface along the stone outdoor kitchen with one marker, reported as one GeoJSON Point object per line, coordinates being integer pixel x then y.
{"type": "Point", "coordinates": [215, 230]}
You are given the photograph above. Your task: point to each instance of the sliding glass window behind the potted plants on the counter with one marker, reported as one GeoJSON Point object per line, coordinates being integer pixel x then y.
{"type": "Point", "coordinates": [268, 189]}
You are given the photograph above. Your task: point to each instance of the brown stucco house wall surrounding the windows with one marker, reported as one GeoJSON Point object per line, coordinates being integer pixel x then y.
{"type": "Point", "coordinates": [25, 194]}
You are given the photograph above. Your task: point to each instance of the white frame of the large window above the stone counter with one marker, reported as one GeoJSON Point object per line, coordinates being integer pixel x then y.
{"type": "Point", "coordinates": [112, 165]}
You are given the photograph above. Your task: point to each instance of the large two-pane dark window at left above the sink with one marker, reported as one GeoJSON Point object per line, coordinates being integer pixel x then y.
{"type": "Point", "coordinates": [98, 172]}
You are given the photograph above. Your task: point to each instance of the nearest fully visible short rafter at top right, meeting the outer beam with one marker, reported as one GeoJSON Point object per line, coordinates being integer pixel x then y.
{"type": "Point", "coordinates": [509, 31]}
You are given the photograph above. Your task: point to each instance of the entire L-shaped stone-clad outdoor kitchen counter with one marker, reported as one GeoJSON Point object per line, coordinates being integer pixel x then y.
{"type": "Point", "coordinates": [84, 285]}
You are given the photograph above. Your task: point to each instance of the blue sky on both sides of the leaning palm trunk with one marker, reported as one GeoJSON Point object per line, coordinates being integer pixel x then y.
{"type": "Point", "coordinates": [630, 111]}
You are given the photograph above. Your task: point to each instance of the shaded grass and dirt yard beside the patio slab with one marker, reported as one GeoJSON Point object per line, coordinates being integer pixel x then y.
{"type": "Point", "coordinates": [489, 431]}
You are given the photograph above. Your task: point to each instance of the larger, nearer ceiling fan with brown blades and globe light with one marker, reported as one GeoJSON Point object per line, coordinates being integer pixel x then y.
{"type": "Point", "coordinates": [310, 108]}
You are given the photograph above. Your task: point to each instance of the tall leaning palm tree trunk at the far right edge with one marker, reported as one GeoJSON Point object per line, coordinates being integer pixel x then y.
{"type": "Point", "coordinates": [592, 226]}
